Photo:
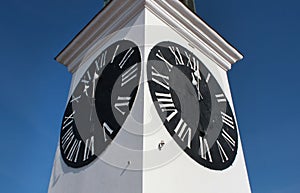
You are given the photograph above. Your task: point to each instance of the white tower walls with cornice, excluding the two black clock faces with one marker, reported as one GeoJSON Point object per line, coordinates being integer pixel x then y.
{"type": "Point", "coordinates": [133, 162]}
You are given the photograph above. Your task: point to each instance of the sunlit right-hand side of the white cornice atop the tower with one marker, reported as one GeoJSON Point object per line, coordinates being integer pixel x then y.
{"type": "Point", "coordinates": [196, 31]}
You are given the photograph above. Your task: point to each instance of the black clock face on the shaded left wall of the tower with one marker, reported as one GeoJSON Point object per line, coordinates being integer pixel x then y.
{"type": "Point", "coordinates": [100, 103]}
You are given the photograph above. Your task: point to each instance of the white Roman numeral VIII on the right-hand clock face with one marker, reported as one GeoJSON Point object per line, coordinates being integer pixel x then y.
{"type": "Point", "coordinates": [166, 104]}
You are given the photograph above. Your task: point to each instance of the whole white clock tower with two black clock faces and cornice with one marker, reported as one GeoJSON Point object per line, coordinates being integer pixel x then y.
{"type": "Point", "coordinates": [149, 108]}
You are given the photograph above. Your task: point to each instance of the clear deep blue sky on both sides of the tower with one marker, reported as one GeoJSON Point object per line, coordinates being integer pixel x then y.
{"type": "Point", "coordinates": [265, 86]}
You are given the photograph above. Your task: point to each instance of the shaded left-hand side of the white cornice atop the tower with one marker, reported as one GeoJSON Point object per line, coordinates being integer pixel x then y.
{"type": "Point", "coordinates": [109, 20]}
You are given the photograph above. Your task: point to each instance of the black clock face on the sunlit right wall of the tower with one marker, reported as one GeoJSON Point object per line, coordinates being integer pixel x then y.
{"type": "Point", "coordinates": [192, 106]}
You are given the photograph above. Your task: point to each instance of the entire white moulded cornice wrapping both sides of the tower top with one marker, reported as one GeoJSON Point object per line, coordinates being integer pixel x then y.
{"type": "Point", "coordinates": [119, 12]}
